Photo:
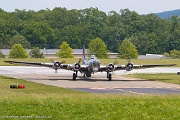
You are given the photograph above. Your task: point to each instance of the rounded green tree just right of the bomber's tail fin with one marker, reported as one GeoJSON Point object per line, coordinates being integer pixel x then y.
{"type": "Point", "coordinates": [99, 48]}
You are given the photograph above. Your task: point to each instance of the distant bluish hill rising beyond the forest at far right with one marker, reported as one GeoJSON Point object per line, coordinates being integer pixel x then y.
{"type": "Point", "coordinates": [168, 14]}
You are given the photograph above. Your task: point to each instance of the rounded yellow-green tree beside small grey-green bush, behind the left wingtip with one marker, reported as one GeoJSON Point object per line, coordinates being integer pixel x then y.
{"type": "Point", "coordinates": [18, 51]}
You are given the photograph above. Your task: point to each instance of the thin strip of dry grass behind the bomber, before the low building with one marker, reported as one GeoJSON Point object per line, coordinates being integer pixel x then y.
{"type": "Point", "coordinates": [103, 61]}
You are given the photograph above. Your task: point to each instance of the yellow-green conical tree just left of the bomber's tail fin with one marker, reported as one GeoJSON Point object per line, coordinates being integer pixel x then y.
{"type": "Point", "coordinates": [65, 51]}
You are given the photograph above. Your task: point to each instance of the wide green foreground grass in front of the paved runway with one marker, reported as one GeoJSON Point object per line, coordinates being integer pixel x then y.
{"type": "Point", "coordinates": [42, 101]}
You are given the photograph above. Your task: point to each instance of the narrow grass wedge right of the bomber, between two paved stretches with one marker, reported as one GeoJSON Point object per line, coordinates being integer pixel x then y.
{"type": "Point", "coordinates": [163, 77]}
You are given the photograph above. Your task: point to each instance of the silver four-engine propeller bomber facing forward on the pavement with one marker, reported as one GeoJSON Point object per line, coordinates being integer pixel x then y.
{"type": "Point", "coordinates": [90, 67]}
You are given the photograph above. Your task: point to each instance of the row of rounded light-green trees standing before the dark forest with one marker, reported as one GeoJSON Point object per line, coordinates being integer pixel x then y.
{"type": "Point", "coordinates": [127, 50]}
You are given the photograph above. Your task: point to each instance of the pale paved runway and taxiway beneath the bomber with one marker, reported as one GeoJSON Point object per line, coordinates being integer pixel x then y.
{"type": "Point", "coordinates": [98, 83]}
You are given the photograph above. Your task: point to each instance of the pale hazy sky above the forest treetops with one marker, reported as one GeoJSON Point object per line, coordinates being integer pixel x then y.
{"type": "Point", "coordinates": [140, 6]}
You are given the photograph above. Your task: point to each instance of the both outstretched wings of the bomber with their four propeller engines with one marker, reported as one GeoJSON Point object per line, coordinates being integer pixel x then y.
{"type": "Point", "coordinates": [76, 67]}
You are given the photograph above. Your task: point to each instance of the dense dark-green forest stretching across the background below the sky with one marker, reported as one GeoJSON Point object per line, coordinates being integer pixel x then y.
{"type": "Point", "coordinates": [49, 28]}
